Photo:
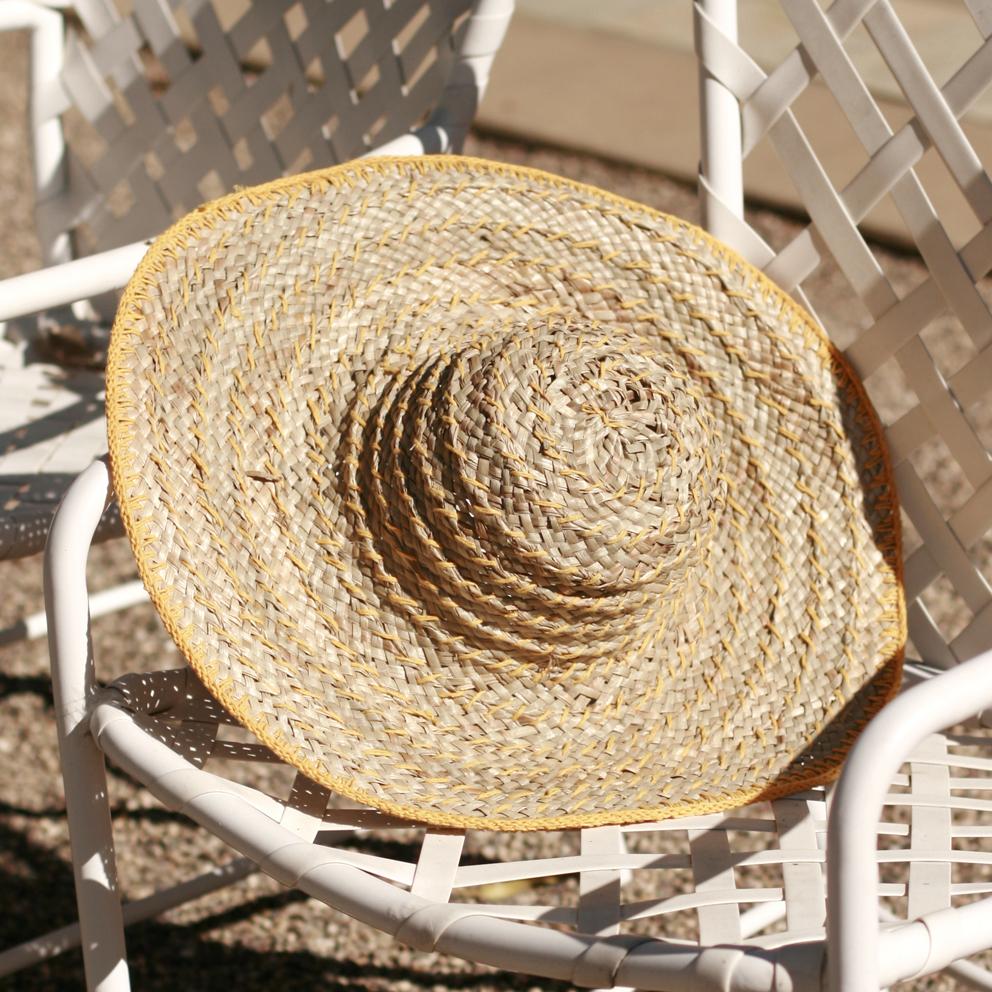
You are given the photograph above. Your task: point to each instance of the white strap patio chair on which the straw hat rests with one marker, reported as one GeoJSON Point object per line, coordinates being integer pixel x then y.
{"type": "Point", "coordinates": [766, 909]}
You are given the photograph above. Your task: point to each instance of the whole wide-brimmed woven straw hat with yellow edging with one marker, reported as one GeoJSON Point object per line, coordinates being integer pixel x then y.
{"type": "Point", "coordinates": [490, 499]}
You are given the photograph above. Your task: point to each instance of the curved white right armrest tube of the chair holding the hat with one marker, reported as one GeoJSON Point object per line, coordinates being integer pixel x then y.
{"type": "Point", "coordinates": [857, 804]}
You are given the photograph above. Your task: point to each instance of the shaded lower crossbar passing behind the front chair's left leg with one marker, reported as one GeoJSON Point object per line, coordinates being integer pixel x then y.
{"type": "Point", "coordinates": [57, 942]}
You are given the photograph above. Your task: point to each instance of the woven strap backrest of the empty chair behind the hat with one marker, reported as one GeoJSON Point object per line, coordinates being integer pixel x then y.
{"type": "Point", "coordinates": [163, 104]}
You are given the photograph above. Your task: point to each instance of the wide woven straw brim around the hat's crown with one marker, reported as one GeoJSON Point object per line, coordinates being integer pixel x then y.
{"type": "Point", "coordinates": [789, 635]}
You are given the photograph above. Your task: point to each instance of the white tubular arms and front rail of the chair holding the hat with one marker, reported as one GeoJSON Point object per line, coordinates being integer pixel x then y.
{"type": "Point", "coordinates": [281, 838]}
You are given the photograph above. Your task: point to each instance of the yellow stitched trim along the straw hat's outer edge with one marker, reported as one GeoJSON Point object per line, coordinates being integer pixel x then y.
{"type": "Point", "coordinates": [120, 415]}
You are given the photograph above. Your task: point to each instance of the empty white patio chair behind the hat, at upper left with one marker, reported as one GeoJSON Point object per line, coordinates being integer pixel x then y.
{"type": "Point", "coordinates": [133, 121]}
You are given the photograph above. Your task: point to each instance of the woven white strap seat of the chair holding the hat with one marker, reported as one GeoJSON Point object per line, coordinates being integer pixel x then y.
{"type": "Point", "coordinates": [730, 900]}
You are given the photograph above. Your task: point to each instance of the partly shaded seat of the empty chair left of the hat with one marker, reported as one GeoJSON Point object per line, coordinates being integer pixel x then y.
{"type": "Point", "coordinates": [51, 427]}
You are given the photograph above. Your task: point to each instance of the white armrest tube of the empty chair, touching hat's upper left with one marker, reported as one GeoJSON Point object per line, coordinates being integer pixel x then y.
{"type": "Point", "coordinates": [79, 279]}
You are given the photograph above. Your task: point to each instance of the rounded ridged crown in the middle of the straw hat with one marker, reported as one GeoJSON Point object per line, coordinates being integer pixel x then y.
{"type": "Point", "coordinates": [543, 469]}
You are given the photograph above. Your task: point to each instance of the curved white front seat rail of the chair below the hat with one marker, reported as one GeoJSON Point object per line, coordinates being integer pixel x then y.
{"type": "Point", "coordinates": [463, 930]}
